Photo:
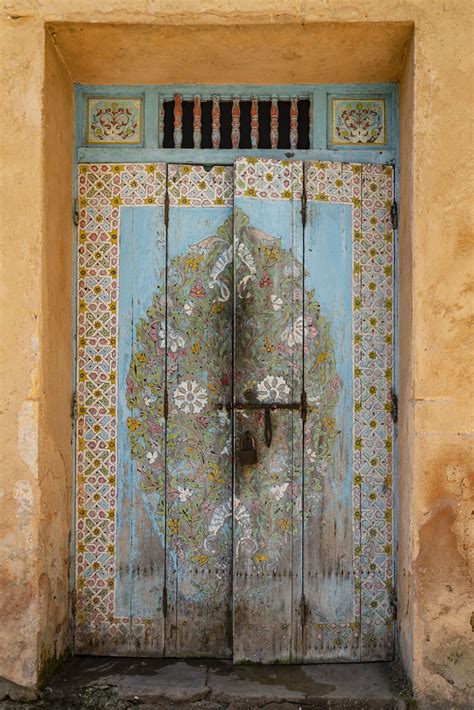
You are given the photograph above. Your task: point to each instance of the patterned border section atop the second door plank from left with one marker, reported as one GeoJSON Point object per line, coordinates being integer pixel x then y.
{"type": "Point", "coordinates": [196, 186]}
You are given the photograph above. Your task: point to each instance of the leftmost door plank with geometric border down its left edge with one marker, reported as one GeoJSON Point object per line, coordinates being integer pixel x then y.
{"type": "Point", "coordinates": [119, 547]}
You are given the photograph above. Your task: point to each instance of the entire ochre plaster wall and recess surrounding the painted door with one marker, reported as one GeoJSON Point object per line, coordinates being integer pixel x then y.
{"type": "Point", "coordinates": [435, 601]}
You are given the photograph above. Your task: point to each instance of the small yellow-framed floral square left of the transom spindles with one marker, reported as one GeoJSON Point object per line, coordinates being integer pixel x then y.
{"type": "Point", "coordinates": [114, 121]}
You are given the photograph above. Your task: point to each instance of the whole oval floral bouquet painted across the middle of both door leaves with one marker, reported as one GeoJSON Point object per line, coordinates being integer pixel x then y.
{"type": "Point", "coordinates": [197, 429]}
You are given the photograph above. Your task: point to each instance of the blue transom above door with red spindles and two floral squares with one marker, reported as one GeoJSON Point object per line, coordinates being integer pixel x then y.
{"type": "Point", "coordinates": [193, 123]}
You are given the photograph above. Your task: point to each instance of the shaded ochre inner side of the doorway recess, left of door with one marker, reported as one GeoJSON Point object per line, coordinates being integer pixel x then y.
{"type": "Point", "coordinates": [55, 433]}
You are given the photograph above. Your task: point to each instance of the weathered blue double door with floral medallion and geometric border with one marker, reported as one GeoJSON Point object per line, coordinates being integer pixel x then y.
{"type": "Point", "coordinates": [201, 292]}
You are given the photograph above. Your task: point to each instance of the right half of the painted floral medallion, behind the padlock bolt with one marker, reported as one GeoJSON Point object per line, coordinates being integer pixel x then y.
{"type": "Point", "coordinates": [272, 337]}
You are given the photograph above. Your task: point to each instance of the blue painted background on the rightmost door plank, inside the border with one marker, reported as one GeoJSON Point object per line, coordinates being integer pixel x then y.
{"type": "Point", "coordinates": [328, 544]}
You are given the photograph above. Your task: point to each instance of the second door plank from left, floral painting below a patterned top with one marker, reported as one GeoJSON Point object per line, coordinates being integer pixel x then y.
{"type": "Point", "coordinates": [198, 340]}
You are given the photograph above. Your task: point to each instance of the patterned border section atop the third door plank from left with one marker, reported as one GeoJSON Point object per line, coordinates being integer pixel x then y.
{"type": "Point", "coordinates": [255, 177]}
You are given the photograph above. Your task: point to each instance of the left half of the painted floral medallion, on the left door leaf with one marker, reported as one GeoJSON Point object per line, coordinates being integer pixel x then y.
{"type": "Point", "coordinates": [198, 434]}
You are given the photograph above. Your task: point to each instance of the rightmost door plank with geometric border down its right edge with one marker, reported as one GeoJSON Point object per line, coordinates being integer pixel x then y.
{"type": "Point", "coordinates": [348, 462]}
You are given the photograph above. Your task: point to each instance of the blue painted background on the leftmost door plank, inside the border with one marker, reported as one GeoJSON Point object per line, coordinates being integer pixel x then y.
{"type": "Point", "coordinates": [140, 524]}
